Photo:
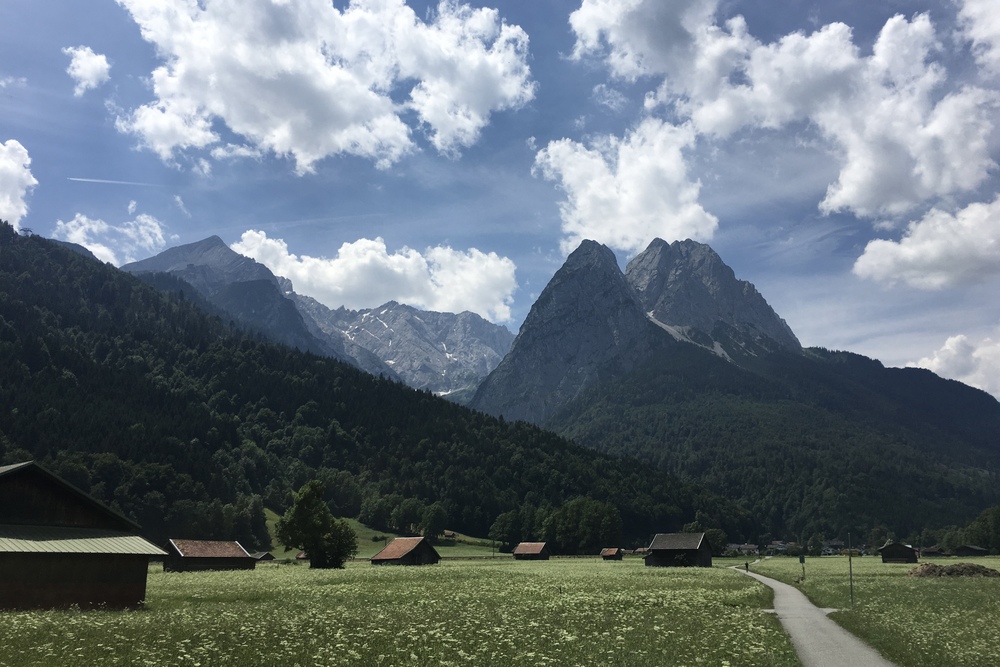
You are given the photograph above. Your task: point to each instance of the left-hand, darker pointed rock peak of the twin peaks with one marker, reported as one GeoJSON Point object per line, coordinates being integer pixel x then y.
{"type": "Point", "coordinates": [585, 323]}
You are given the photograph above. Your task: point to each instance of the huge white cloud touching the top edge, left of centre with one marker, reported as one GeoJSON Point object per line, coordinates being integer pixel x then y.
{"type": "Point", "coordinates": [308, 80]}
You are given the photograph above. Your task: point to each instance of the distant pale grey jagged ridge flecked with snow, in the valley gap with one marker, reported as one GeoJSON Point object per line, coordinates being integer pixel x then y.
{"type": "Point", "coordinates": [439, 352]}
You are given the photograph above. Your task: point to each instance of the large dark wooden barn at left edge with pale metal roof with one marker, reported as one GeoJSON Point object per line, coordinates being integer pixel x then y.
{"type": "Point", "coordinates": [61, 547]}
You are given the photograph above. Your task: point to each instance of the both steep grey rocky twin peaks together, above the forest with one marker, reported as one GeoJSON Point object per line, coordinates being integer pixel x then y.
{"type": "Point", "coordinates": [592, 321]}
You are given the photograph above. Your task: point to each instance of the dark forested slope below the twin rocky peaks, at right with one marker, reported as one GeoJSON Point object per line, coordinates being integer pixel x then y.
{"type": "Point", "coordinates": [815, 444]}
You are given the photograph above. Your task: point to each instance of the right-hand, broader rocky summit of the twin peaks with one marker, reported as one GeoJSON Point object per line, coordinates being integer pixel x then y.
{"type": "Point", "coordinates": [686, 284]}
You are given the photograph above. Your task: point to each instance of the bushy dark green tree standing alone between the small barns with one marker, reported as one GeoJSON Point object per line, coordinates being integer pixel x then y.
{"type": "Point", "coordinates": [310, 525]}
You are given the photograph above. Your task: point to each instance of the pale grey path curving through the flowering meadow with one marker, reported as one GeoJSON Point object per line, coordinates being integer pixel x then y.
{"type": "Point", "coordinates": [819, 641]}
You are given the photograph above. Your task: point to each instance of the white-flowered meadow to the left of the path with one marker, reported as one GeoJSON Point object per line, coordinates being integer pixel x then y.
{"type": "Point", "coordinates": [493, 612]}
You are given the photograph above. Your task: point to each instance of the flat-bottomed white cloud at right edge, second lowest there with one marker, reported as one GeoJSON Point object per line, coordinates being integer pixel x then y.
{"type": "Point", "coordinates": [939, 250]}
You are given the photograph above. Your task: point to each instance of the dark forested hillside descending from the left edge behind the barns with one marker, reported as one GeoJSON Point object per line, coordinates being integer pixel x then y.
{"type": "Point", "coordinates": [191, 426]}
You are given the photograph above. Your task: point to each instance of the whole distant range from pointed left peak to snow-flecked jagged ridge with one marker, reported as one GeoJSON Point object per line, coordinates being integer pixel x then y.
{"type": "Point", "coordinates": [444, 353]}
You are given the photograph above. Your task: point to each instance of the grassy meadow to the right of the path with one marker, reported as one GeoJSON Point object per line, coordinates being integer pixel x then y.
{"type": "Point", "coordinates": [915, 622]}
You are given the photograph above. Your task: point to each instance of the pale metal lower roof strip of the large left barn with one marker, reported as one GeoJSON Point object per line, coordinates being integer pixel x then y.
{"type": "Point", "coordinates": [57, 539]}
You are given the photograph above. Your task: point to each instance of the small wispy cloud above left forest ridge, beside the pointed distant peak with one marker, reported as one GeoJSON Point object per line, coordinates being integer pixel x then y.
{"type": "Point", "coordinates": [117, 244]}
